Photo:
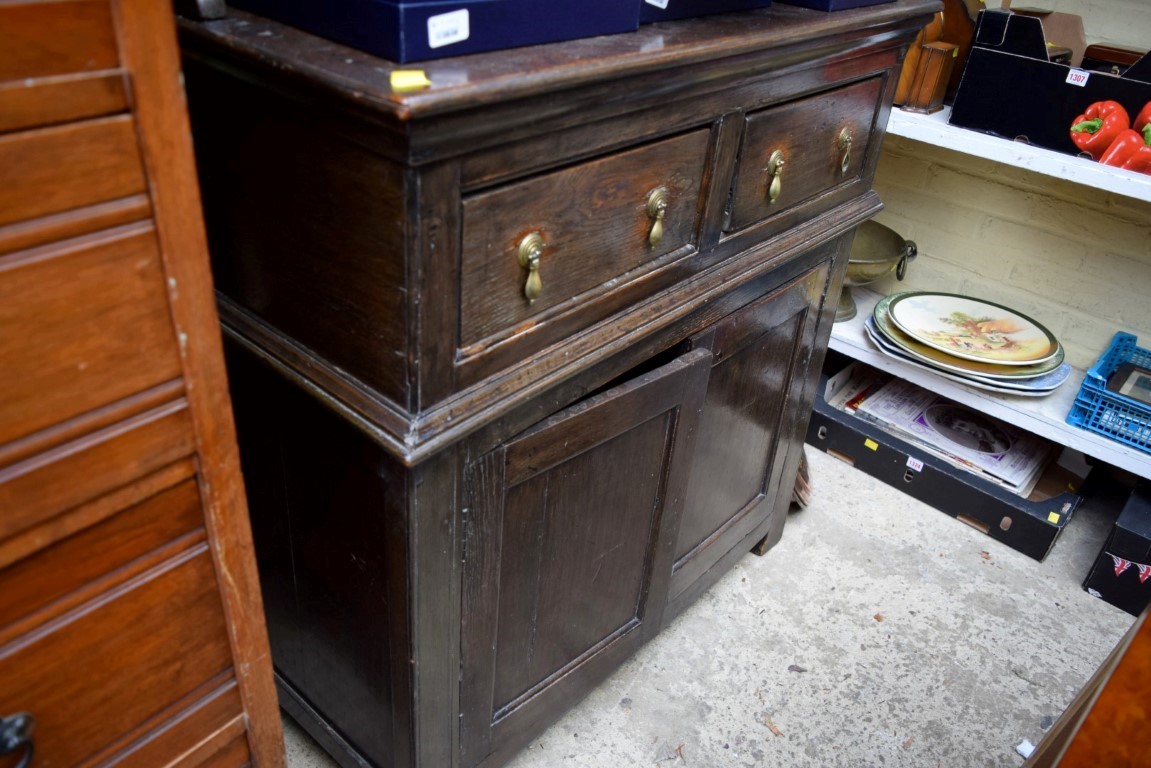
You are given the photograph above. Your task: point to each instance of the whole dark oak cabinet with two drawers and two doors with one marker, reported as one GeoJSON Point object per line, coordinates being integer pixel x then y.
{"type": "Point", "coordinates": [522, 363]}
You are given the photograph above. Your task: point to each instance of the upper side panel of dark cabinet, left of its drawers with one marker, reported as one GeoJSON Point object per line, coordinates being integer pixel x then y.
{"type": "Point", "coordinates": [306, 227]}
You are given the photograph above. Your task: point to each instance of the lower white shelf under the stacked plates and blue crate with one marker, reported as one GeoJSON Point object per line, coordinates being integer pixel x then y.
{"type": "Point", "coordinates": [1042, 416]}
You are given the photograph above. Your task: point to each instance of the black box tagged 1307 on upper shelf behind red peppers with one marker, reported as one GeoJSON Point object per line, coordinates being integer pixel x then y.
{"type": "Point", "coordinates": [1010, 88]}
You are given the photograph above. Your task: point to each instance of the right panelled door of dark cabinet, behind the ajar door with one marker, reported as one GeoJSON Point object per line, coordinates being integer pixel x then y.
{"type": "Point", "coordinates": [759, 361]}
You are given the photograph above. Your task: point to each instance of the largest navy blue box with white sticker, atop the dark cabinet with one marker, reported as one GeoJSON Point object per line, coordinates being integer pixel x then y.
{"type": "Point", "coordinates": [417, 31]}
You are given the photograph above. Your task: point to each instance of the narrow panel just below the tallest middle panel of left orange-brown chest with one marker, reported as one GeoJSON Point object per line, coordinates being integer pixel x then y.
{"type": "Point", "coordinates": [44, 486]}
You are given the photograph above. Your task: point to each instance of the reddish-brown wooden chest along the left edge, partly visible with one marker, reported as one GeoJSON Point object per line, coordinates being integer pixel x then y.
{"type": "Point", "coordinates": [132, 630]}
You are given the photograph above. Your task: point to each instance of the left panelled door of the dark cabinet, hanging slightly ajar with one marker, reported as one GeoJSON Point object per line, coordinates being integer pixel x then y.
{"type": "Point", "coordinates": [569, 538]}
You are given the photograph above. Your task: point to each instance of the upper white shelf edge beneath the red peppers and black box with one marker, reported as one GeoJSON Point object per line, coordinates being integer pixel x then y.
{"type": "Point", "coordinates": [934, 130]}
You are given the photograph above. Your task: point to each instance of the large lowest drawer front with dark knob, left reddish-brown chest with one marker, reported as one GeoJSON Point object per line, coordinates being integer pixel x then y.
{"type": "Point", "coordinates": [104, 670]}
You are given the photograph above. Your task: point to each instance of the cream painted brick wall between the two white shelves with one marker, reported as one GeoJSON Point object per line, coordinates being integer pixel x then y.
{"type": "Point", "coordinates": [1074, 260]}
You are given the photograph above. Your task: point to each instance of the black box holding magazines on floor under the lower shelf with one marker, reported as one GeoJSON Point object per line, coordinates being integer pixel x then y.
{"type": "Point", "coordinates": [1027, 526]}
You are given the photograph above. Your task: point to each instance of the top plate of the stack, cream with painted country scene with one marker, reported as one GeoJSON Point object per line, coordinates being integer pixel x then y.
{"type": "Point", "coordinates": [973, 330]}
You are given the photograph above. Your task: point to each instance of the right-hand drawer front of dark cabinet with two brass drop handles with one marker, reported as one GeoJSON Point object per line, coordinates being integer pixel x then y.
{"type": "Point", "coordinates": [821, 142]}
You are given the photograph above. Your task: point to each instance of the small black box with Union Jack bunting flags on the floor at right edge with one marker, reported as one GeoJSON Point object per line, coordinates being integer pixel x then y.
{"type": "Point", "coordinates": [1122, 575]}
